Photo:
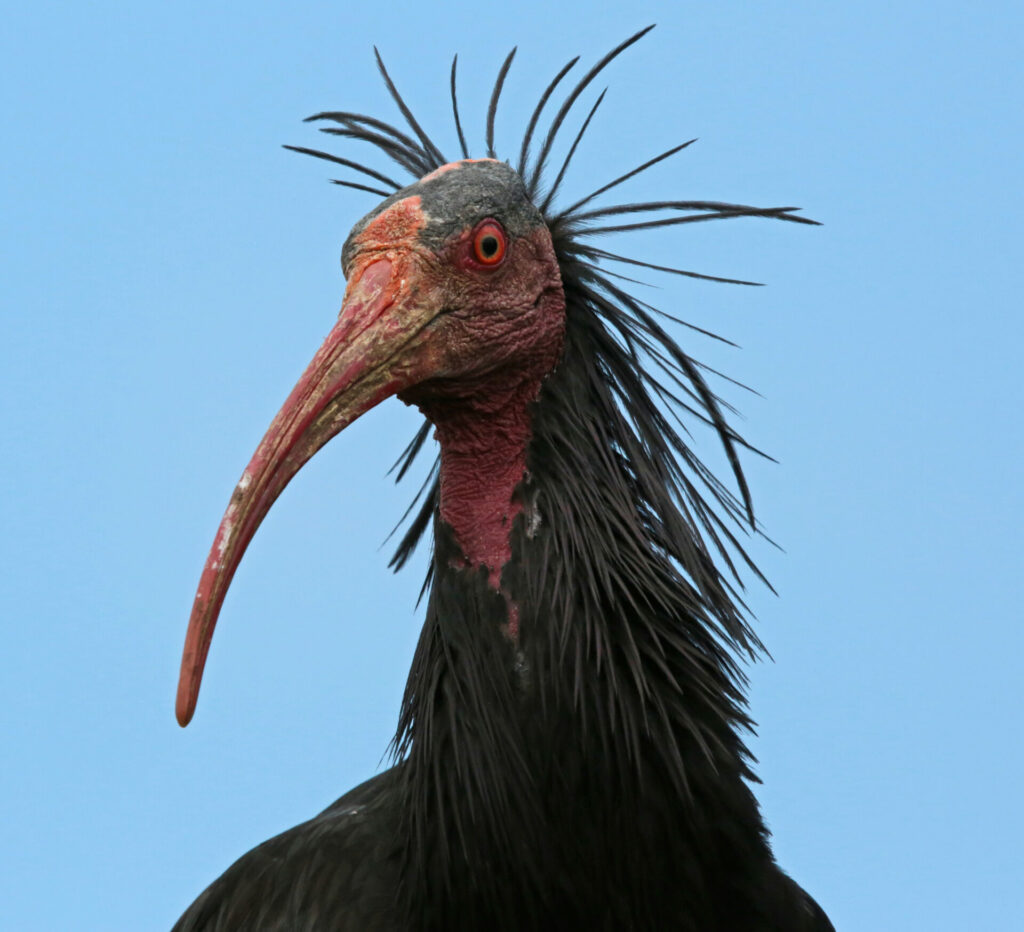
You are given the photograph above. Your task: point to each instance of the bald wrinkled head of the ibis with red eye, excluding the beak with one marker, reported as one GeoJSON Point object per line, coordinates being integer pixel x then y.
{"type": "Point", "coordinates": [473, 282]}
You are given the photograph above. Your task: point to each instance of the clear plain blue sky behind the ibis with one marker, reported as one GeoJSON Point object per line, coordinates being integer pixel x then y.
{"type": "Point", "coordinates": [167, 271]}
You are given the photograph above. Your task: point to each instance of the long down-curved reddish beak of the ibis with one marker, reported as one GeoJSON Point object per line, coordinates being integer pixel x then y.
{"type": "Point", "coordinates": [364, 360]}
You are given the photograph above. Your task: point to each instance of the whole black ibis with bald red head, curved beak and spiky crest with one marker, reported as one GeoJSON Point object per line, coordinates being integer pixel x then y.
{"type": "Point", "coordinates": [571, 748]}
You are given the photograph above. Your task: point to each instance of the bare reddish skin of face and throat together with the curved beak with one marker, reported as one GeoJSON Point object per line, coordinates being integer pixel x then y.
{"type": "Point", "coordinates": [471, 345]}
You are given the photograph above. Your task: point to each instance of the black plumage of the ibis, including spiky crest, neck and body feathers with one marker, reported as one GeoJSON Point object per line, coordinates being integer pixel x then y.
{"type": "Point", "coordinates": [591, 773]}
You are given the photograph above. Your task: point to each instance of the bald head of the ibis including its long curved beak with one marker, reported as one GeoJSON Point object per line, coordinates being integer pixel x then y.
{"type": "Point", "coordinates": [454, 291]}
